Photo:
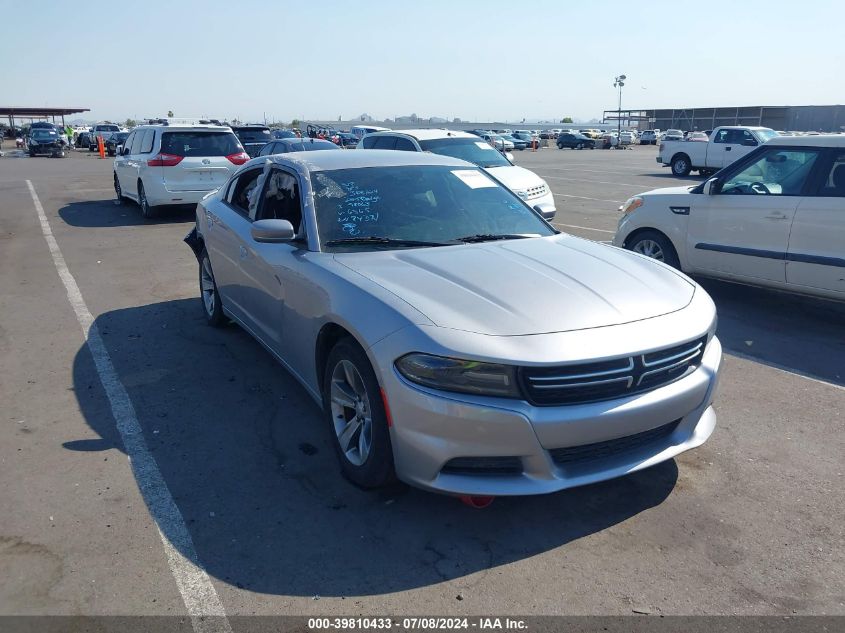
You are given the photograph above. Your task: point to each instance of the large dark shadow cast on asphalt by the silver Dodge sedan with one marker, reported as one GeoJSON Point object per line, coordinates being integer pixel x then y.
{"type": "Point", "coordinates": [245, 454]}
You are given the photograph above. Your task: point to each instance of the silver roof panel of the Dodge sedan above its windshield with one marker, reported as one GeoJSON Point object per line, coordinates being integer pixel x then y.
{"type": "Point", "coordinates": [326, 161]}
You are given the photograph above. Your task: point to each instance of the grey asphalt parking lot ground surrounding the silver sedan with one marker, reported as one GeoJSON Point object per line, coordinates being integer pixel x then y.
{"type": "Point", "coordinates": [750, 523]}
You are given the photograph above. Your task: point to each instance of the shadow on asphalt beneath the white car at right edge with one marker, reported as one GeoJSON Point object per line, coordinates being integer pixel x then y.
{"type": "Point", "coordinates": [800, 334]}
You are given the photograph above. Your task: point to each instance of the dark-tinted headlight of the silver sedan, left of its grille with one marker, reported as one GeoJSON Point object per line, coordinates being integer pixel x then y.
{"type": "Point", "coordinates": [464, 376]}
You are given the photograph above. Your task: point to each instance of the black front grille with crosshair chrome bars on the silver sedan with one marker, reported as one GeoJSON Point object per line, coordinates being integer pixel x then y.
{"type": "Point", "coordinates": [605, 380]}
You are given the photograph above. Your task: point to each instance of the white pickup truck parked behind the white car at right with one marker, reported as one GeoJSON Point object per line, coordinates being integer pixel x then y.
{"type": "Point", "coordinates": [727, 144]}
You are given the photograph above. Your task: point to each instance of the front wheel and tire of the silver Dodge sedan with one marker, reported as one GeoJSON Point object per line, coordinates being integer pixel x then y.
{"type": "Point", "coordinates": [353, 406]}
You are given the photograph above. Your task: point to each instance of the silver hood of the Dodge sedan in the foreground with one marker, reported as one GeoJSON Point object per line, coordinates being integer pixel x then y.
{"type": "Point", "coordinates": [530, 286]}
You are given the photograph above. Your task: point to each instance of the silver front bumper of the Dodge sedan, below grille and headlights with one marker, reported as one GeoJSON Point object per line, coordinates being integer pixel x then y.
{"type": "Point", "coordinates": [430, 428]}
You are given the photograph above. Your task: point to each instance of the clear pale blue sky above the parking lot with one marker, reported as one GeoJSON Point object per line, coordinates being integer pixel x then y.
{"type": "Point", "coordinates": [473, 59]}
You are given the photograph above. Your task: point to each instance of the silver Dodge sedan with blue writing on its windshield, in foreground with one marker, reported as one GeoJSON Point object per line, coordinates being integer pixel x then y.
{"type": "Point", "coordinates": [453, 338]}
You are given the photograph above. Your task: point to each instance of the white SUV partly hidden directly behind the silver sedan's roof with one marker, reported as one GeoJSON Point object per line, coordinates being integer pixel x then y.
{"type": "Point", "coordinates": [469, 147]}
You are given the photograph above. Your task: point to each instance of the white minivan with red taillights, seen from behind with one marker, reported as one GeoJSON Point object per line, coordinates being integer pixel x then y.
{"type": "Point", "coordinates": [175, 164]}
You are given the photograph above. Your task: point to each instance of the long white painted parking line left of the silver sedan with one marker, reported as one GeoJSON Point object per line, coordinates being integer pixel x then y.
{"type": "Point", "coordinates": [198, 594]}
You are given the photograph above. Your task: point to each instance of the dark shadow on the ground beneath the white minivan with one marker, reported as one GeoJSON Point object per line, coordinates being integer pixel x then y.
{"type": "Point", "coordinates": [108, 213]}
